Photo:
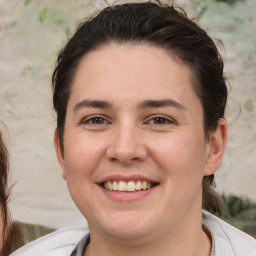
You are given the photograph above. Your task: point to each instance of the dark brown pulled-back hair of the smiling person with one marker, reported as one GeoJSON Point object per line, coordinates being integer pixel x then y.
{"type": "Point", "coordinates": [156, 25]}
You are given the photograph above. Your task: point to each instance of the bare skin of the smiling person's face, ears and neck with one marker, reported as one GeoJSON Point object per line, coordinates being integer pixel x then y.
{"type": "Point", "coordinates": [163, 142]}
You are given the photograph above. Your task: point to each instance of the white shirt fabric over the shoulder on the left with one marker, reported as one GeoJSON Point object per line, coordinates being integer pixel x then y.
{"type": "Point", "coordinates": [59, 243]}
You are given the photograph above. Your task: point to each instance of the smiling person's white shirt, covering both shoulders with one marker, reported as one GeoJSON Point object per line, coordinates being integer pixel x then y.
{"type": "Point", "coordinates": [226, 240]}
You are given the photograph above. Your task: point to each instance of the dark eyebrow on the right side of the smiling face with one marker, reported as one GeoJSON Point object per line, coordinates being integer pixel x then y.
{"type": "Point", "coordinates": [161, 103]}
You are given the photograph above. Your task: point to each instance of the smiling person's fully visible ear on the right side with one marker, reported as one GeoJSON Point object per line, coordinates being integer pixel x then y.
{"type": "Point", "coordinates": [215, 148]}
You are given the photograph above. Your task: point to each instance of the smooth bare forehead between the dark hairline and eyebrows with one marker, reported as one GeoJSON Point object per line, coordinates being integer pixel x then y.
{"type": "Point", "coordinates": [137, 71]}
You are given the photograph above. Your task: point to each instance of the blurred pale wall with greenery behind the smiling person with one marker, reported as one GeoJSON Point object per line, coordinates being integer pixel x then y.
{"type": "Point", "coordinates": [31, 34]}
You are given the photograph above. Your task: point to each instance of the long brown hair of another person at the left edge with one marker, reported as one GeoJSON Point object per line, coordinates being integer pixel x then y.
{"type": "Point", "coordinates": [4, 194]}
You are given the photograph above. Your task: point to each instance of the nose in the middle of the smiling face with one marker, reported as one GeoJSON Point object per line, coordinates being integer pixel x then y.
{"type": "Point", "coordinates": [126, 146]}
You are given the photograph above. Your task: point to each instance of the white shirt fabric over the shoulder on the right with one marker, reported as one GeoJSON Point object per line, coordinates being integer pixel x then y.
{"type": "Point", "coordinates": [228, 239]}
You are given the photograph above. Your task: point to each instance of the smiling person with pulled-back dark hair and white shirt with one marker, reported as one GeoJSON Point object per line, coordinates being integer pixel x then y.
{"type": "Point", "coordinates": [140, 99]}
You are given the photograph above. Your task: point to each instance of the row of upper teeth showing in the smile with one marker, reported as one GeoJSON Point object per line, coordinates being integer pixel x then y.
{"type": "Point", "coordinates": [127, 186]}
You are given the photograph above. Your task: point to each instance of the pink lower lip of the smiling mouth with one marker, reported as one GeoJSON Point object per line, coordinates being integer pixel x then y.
{"type": "Point", "coordinates": [127, 196]}
